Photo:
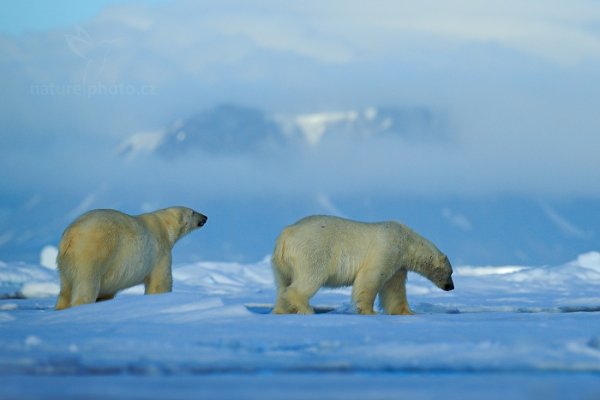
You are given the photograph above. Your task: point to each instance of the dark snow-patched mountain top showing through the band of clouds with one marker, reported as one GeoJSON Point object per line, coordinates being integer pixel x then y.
{"type": "Point", "coordinates": [234, 129]}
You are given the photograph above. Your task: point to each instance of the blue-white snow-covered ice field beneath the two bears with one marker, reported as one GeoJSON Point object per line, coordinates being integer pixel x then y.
{"type": "Point", "coordinates": [505, 332]}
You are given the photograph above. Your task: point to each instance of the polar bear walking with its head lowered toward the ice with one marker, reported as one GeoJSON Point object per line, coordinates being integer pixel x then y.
{"type": "Point", "coordinates": [374, 258]}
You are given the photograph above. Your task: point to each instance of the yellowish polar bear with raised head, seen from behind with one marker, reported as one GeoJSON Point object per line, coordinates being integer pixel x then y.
{"type": "Point", "coordinates": [105, 251]}
